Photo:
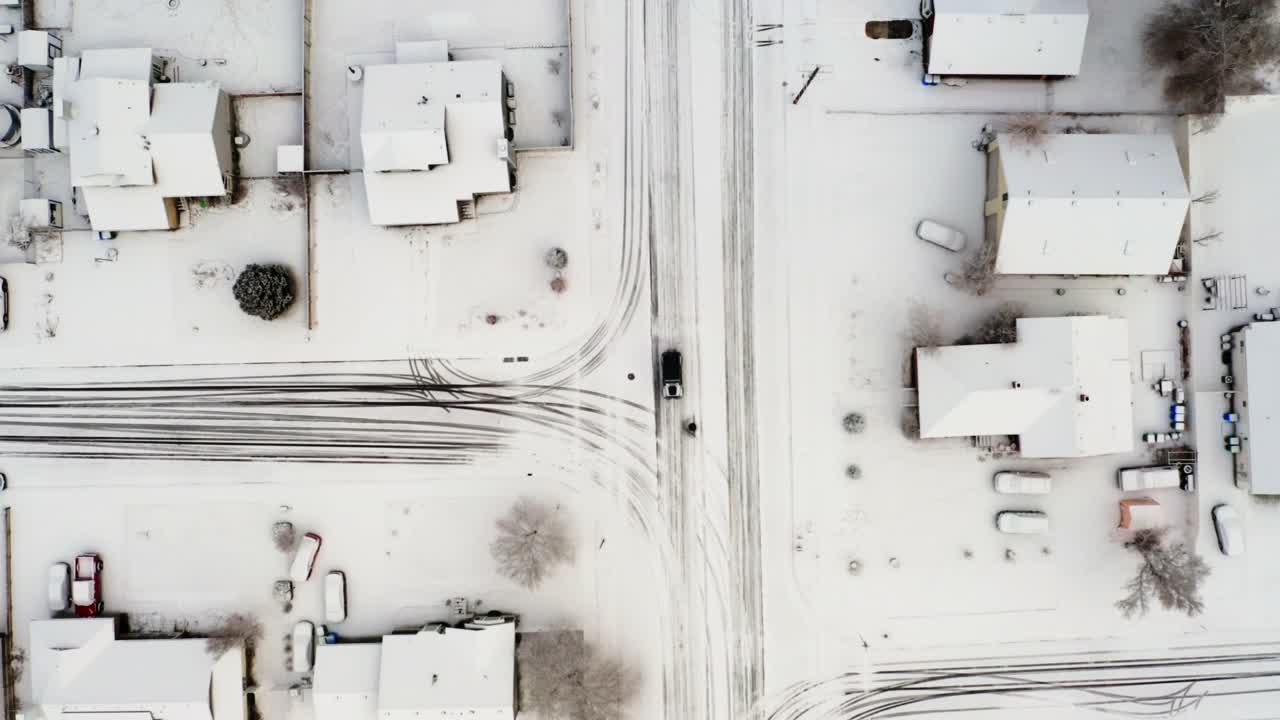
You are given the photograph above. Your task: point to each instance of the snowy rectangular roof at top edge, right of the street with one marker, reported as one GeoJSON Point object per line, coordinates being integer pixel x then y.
{"type": "Point", "coordinates": [1008, 38]}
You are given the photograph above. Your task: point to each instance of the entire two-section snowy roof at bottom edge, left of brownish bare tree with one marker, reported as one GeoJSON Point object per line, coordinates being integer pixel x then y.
{"type": "Point", "coordinates": [442, 672]}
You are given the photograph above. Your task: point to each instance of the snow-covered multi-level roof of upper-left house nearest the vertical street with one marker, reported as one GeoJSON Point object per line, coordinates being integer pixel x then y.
{"type": "Point", "coordinates": [432, 135]}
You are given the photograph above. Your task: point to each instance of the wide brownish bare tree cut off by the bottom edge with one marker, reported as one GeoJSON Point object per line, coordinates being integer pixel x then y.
{"type": "Point", "coordinates": [565, 678]}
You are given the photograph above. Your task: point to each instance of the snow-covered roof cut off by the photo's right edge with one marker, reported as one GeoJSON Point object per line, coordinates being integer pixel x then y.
{"type": "Point", "coordinates": [1260, 386]}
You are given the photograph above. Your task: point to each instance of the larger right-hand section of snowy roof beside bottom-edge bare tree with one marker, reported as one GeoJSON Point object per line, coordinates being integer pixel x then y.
{"type": "Point", "coordinates": [454, 673]}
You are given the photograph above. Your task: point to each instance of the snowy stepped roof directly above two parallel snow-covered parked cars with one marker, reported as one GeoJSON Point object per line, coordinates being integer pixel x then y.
{"type": "Point", "coordinates": [1034, 389]}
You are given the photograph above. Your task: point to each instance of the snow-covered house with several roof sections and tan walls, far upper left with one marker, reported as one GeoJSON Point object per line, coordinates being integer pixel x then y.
{"type": "Point", "coordinates": [139, 145]}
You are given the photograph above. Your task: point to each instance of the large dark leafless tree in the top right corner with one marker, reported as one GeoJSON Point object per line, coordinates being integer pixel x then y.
{"type": "Point", "coordinates": [1212, 49]}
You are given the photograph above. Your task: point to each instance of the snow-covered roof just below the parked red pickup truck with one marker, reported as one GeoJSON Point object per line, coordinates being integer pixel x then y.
{"type": "Point", "coordinates": [80, 669]}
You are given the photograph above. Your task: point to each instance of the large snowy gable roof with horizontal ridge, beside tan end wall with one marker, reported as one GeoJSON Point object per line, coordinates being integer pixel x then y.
{"type": "Point", "coordinates": [1091, 206]}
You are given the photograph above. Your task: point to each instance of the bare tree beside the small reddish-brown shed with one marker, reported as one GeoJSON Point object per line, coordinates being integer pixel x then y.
{"type": "Point", "coordinates": [1171, 573]}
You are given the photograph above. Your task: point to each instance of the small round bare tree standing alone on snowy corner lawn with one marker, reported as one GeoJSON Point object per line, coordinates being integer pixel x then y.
{"type": "Point", "coordinates": [533, 540]}
